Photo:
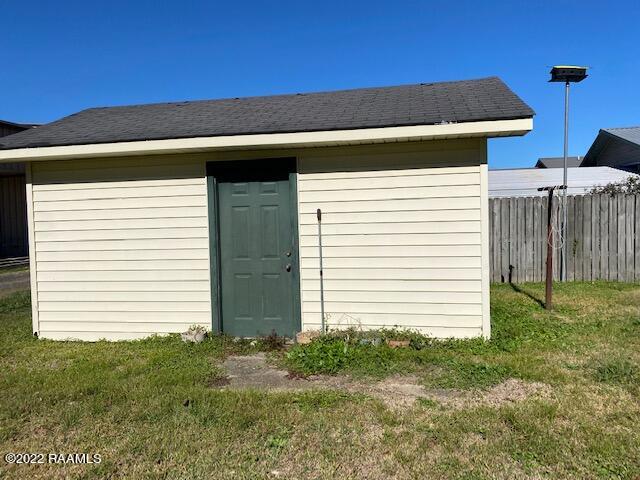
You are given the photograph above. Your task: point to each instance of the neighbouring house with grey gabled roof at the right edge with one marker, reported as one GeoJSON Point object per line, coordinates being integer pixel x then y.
{"type": "Point", "coordinates": [617, 147]}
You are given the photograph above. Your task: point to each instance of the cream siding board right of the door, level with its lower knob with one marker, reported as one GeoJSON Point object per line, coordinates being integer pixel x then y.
{"type": "Point", "coordinates": [393, 273]}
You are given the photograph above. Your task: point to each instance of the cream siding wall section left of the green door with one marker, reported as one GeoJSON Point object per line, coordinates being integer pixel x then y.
{"type": "Point", "coordinates": [121, 247]}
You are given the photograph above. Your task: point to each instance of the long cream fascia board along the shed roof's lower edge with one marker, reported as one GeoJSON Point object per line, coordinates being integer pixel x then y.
{"type": "Point", "coordinates": [495, 128]}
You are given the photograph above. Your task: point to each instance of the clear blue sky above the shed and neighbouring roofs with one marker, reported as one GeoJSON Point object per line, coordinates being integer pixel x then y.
{"type": "Point", "coordinates": [60, 57]}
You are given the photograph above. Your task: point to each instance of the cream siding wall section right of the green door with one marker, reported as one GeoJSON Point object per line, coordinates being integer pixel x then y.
{"type": "Point", "coordinates": [402, 236]}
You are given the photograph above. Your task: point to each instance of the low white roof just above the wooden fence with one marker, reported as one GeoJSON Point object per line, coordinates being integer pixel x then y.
{"type": "Point", "coordinates": [524, 182]}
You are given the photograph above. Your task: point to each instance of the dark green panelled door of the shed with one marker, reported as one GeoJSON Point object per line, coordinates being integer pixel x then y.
{"type": "Point", "coordinates": [257, 251]}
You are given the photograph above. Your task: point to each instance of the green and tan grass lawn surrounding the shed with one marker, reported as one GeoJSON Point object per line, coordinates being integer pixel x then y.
{"type": "Point", "coordinates": [151, 409]}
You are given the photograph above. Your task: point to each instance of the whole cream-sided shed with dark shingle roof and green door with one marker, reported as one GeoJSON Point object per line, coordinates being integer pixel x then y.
{"type": "Point", "coordinates": [148, 219]}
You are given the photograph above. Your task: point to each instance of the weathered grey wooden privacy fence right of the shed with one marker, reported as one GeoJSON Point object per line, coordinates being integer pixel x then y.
{"type": "Point", "coordinates": [603, 238]}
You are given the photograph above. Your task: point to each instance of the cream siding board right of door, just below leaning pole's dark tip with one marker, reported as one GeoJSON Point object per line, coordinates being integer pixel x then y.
{"type": "Point", "coordinates": [388, 228]}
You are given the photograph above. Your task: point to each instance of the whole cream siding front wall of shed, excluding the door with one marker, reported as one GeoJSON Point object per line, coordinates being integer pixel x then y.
{"type": "Point", "coordinates": [121, 245]}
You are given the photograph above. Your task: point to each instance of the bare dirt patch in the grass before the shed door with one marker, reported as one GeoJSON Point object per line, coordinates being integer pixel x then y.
{"type": "Point", "coordinates": [397, 392]}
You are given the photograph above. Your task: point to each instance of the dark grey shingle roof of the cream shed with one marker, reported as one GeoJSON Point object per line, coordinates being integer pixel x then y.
{"type": "Point", "coordinates": [422, 104]}
